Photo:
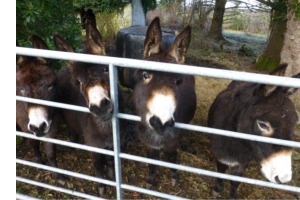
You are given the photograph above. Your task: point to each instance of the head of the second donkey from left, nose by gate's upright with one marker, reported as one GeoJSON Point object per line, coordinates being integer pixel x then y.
{"type": "Point", "coordinates": [91, 79]}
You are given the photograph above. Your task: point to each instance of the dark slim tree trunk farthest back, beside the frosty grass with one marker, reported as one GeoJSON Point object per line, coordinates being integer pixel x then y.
{"type": "Point", "coordinates": [217, 21]}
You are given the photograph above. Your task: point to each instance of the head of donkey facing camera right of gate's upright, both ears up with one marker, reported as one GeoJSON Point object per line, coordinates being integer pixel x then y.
{"type": "Point", "coordinates": [156, 93]}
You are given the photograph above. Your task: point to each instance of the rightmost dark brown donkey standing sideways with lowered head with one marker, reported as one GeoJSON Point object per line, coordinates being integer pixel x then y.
{"type": "Point", "coordinates": [258, 109]}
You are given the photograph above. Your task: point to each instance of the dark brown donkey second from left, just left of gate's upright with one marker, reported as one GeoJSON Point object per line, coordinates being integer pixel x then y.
{"type": "Point", "coordinates": [86, 84]}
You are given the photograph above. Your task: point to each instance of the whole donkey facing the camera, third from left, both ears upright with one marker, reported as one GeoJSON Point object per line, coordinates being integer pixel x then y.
{"type": "Point", "coordinates": [162, 98]}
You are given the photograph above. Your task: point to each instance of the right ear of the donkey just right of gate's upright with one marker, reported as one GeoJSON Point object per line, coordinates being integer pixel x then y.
{"type": "Point", "coordinates": [180, 45]}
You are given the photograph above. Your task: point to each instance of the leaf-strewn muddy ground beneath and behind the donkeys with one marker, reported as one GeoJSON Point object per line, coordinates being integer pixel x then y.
{"type": "Point", "coordinates": [195, 147]}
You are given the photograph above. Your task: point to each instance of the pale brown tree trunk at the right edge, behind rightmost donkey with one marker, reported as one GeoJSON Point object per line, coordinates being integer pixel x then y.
{"type": "Point", "coordinates": [291, 48]}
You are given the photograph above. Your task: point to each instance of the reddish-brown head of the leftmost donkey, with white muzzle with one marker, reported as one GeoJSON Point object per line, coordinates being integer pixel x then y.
{"type": "Point", "coordinates": [35, 78]}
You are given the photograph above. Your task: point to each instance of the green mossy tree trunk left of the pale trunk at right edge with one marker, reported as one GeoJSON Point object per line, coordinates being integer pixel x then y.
{"type": "Point", "coordinates": [270, 59]}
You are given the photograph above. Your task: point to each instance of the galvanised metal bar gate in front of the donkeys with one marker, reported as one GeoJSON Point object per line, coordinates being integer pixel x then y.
{"type": "Point", "coordinates": [114, 63]}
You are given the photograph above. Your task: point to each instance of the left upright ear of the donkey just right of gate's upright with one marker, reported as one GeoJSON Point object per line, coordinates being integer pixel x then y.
{"type": "Point", "coordinates": [153, 38]}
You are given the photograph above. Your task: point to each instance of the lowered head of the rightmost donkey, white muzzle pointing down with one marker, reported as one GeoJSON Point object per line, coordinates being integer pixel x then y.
{"type": "Point", "coordinates": [272, 114]}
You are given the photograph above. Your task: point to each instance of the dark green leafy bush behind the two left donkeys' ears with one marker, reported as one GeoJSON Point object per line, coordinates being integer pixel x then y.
{"type": "Point", "coordinates": [45, 18]}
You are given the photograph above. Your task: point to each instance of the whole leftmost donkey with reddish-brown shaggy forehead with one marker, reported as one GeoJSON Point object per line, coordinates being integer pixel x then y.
{"type": "Point", "coordinates": [36, 78]}
